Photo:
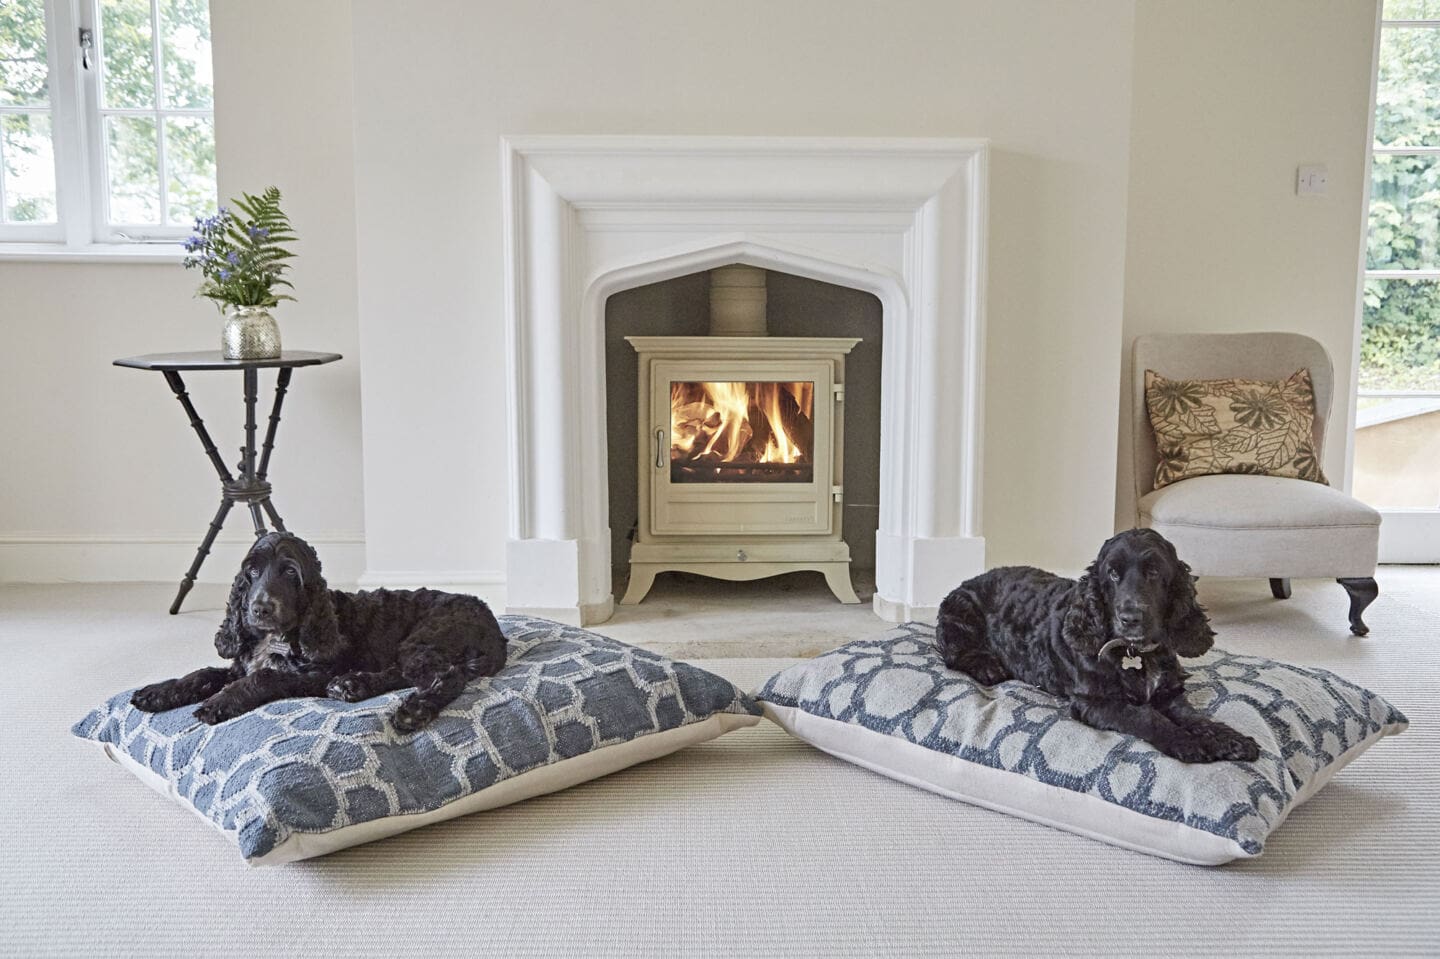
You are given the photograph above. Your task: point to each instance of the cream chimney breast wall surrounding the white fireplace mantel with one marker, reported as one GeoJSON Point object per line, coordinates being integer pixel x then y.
{"type": "Point", "coordinates": [1048, 83]}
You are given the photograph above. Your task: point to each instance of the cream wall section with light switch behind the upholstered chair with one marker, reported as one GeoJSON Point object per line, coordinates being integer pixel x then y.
{"type": "Point", "coordinates": [1230, 97]}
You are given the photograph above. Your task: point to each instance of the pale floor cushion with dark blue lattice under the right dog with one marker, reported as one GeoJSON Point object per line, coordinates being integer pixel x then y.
{"type": "Point", "coordinates": [892, 706]}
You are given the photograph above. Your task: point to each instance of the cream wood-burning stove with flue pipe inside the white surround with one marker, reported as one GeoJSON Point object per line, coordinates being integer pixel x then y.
{"type": "Point", "coordinates": [741, 449]}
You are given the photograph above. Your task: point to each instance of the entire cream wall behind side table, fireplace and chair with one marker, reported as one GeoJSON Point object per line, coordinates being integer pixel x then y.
{"type": "Point", "coordinates": [1229, 97]}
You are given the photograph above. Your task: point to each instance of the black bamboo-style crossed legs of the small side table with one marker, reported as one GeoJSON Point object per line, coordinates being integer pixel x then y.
{"type": "Point", "coordinates": [251, 487]}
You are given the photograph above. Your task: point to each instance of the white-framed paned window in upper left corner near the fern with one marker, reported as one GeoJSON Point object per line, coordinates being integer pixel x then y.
{"type": "Point", "coordinates": [107, 126]}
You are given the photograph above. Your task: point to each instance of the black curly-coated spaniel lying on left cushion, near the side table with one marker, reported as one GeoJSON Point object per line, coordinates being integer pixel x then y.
{"type": "Point", "coordinates": [287, 634]}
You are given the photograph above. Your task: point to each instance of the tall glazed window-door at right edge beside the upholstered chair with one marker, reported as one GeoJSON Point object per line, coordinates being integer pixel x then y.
{"type": "Point", "coordinates": [1398, 437]}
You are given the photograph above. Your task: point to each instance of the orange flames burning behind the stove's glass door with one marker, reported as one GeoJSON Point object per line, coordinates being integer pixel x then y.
{"type": "Point", "coordinates": [741, 423]}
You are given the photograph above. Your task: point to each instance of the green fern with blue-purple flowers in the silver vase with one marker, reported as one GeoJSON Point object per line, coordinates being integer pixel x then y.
{"type": "Point", "coordinates": [244, 260]}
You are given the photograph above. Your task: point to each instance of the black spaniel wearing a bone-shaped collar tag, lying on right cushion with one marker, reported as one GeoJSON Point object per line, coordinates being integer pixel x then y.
{"type": "Point", "coordinates": [1110, 643]}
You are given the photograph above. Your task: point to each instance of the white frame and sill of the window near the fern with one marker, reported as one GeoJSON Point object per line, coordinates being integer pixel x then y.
{"type": "Point", "coordinates": [77, 126]}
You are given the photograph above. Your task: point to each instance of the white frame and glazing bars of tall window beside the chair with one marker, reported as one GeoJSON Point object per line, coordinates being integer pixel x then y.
{"type": "Point", "coordinates": [1406, 536]}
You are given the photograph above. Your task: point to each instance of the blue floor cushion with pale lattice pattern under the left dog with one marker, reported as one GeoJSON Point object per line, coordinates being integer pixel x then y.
{"type": "Point", "coordinates": [307, 777]}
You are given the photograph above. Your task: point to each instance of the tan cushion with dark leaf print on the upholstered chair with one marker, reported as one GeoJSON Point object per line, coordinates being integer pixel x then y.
{"type": "Point", "coordinates": [1209, 427]}
